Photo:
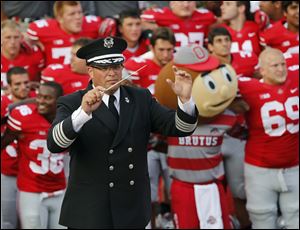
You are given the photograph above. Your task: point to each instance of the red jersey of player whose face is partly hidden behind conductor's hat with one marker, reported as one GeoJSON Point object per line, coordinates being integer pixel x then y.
{"type": "Point", "coordinates": [62, 74]}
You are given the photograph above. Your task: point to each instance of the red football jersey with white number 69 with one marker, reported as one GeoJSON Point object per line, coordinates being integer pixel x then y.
{"type": "Point", "coordinates": [273, 122]}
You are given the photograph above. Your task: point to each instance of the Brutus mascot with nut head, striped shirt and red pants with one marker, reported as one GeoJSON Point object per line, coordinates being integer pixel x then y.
{"type": "Point", "coordinates": [195, 162]}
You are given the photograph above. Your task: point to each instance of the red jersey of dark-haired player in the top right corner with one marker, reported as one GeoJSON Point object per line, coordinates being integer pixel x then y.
{"type": "Point", "coordinates": [279, 37]}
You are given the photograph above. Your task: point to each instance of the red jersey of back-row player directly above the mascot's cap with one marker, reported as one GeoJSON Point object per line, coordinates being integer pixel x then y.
{"type": "Point", "coordinates": [187, 31]}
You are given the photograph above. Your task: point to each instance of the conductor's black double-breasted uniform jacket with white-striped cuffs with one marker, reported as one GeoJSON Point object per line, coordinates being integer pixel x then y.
{"type": "Point", "coordinates": [108, 184]}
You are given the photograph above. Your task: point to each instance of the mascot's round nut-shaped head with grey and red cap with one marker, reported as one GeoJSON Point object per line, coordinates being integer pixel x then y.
{"type": "Point", "coordinates": [214, 85]}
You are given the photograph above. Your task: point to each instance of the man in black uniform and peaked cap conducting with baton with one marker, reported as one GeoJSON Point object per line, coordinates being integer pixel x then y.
{"type": "Point", "coordinates": [106, 130]}
